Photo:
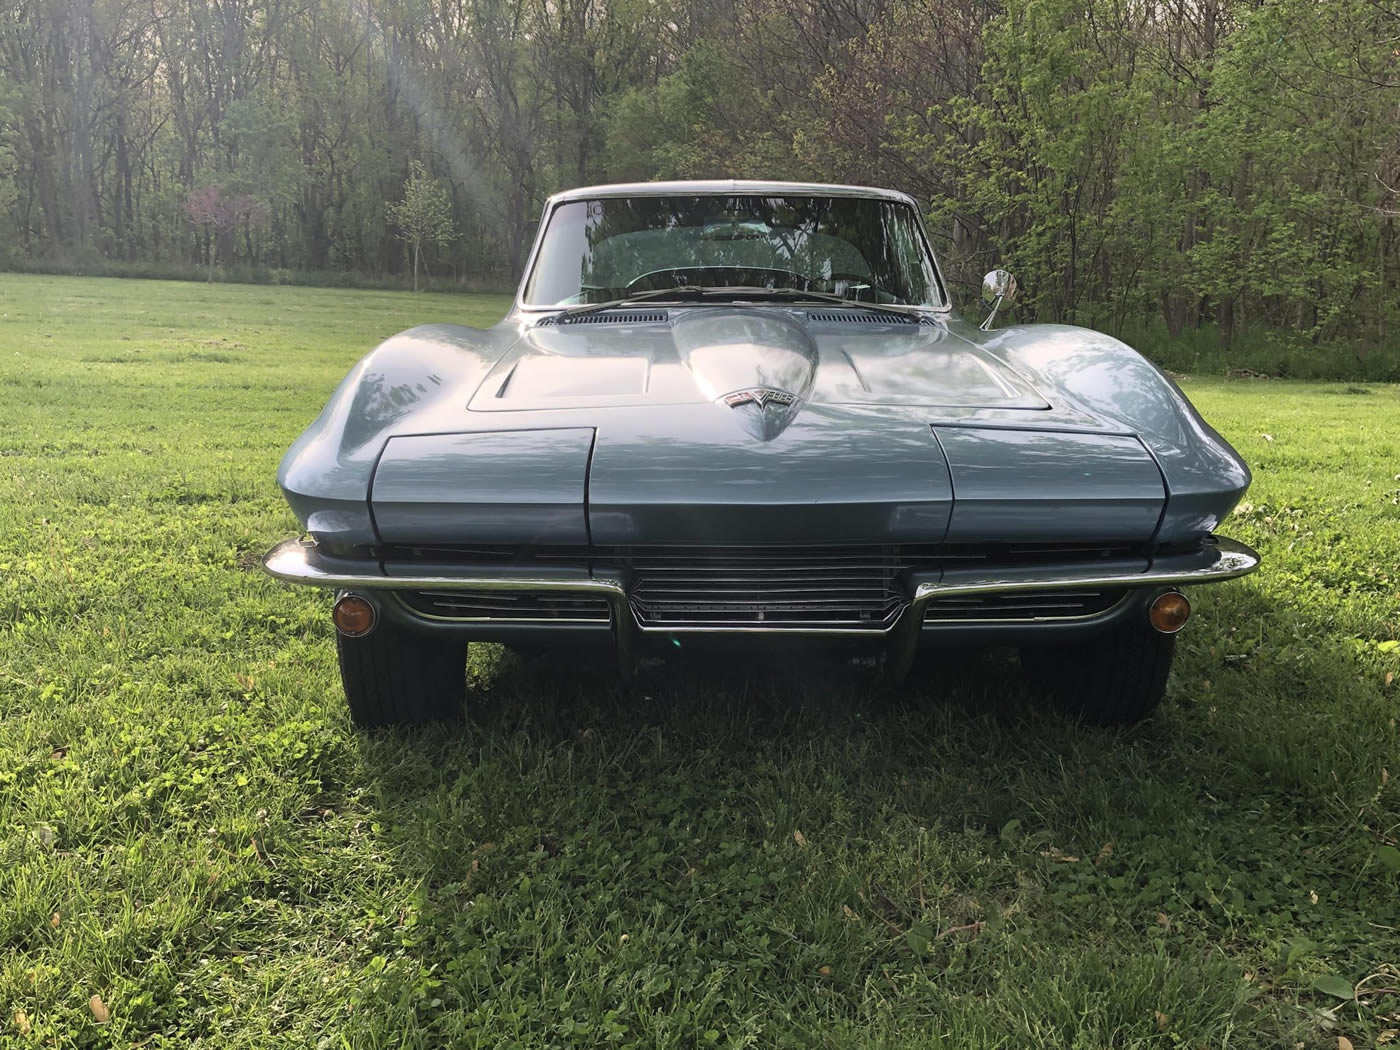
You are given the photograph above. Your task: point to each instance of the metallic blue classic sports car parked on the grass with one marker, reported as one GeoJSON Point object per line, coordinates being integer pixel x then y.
{"type": "Point", "coordinates": [744, 412]}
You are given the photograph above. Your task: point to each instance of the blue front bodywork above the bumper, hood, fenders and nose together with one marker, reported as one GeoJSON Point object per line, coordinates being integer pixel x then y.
{"type": "Point", "coordinates": [758, 425]}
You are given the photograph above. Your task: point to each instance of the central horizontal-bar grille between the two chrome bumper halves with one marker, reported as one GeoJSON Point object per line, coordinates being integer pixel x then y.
{"type": "Point", "coordinates": [766, 587]}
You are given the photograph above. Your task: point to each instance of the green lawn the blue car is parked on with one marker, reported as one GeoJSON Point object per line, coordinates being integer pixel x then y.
{"type": "Point", "coordinates": [199, 850]}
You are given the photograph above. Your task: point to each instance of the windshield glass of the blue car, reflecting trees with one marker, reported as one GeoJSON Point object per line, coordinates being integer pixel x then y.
{"type": "Point", "coordinates": [859, 248]}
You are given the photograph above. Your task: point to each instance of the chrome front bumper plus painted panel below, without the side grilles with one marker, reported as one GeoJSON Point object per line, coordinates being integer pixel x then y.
{"type": "Point", "coordinates": [929, 593]}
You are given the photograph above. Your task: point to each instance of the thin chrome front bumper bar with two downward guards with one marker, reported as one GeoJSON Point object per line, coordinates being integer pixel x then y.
{"type": "Point", "coordinates": [1219, 559]}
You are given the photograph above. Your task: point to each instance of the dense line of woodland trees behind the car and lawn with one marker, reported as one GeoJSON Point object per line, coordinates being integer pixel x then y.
{"type": "Point", "coordinates": [1185, 163]}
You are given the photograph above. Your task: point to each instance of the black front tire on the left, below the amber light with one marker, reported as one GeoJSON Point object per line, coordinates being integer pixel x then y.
{"type": "Point", "coordinates": [398, 678]}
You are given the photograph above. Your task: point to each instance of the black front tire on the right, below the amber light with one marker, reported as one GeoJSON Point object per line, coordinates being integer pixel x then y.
{"type": "Point", "coordinates": [1116, 678]}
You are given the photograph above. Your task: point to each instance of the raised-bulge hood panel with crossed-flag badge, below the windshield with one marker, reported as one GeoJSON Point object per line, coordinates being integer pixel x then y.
{"type": "Point", "coordinates": [766, 363]}
